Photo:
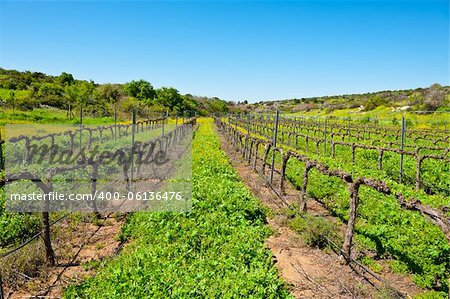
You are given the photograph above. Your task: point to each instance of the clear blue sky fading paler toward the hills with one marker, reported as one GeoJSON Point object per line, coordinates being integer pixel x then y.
{"type": "Point", "coordinates": [253, 50]}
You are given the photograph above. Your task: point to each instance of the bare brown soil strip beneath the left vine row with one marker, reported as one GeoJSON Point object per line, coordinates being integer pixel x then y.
{"type": "Point", "coordinates": [78, 248]}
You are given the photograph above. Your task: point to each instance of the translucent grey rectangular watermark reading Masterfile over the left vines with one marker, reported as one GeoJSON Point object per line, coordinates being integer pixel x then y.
{"type": "Point", "coordinates": [94, 169]}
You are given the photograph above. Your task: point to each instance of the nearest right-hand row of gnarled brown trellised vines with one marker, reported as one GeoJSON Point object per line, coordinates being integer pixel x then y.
{"type": "Point", "coordinates": [240, 137]}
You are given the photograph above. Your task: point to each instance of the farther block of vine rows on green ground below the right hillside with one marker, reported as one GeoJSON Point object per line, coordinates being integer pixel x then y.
{"type": "Point", "coordinates": [423, 146]}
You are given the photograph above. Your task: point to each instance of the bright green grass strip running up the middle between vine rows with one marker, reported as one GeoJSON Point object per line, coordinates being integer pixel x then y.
{"type": "Point", "coordinates": [215, 251]}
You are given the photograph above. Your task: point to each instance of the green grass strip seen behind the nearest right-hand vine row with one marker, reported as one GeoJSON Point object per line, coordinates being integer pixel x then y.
{"type": "Point", "coordinates": [383, 228]}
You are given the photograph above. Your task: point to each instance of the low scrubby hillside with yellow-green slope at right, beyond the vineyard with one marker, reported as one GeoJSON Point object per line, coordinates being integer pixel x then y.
{"type": "Point", "coordinates": [423, 107]}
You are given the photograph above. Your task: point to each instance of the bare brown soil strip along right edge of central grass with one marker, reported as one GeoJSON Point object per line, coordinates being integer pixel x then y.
{"type": "Point", "coordinates": [312, 273]}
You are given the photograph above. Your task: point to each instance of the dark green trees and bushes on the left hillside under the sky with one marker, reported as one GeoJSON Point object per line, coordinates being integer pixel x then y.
{"type": "Point", "coordinates": [28, 90]}
